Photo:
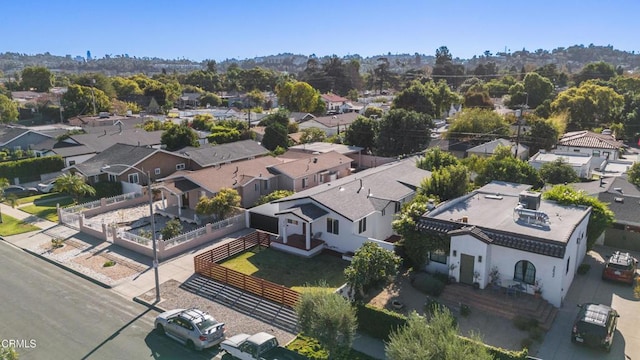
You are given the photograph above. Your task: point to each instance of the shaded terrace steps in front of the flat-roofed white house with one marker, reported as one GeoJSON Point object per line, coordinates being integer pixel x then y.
{"type": "Point", "coordinates": [499, 303]}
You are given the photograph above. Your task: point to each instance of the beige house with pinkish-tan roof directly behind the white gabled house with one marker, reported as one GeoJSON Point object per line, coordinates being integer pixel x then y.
{"type": "Point", "coordinates": [311, 170]}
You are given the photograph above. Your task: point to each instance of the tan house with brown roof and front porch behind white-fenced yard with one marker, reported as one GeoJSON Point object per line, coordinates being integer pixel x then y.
{"type": "Point", "coordinates": [251, 178]}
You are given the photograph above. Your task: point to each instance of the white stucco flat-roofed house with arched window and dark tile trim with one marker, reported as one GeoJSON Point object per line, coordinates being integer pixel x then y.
{"type": "Point", "coordinates": [507, 228]}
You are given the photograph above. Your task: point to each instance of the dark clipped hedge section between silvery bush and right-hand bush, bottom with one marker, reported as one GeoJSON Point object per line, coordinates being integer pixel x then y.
{"type": "Point", "coordinates": [378, 322]}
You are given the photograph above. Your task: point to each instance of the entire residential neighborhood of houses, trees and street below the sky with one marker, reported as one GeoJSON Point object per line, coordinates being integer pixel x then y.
{"type": "Point", "coordinates": [325, 214]}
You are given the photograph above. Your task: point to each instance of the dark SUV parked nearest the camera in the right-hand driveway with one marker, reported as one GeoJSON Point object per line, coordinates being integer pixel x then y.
{"type": "Point", "coordinates": [595, 326]}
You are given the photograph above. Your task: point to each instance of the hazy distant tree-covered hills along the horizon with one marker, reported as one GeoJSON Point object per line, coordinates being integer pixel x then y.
{"type": "Point", "coordinates": [570, 59]}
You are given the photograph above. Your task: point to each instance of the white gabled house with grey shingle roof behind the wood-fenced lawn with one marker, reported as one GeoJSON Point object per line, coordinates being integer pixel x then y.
{"type": "Point", "coordinates": [342, 214]}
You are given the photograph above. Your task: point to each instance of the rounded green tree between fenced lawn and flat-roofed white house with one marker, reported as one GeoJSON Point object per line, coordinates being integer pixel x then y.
{"type": "Point", "coordinates": [370, 266]}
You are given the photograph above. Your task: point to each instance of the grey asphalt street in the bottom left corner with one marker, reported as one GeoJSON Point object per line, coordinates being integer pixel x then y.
{"type": "Point", "coordinates": [48, 313]}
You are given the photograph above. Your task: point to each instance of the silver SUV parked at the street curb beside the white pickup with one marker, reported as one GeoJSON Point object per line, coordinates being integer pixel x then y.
{"type": "Point", "coordinates": [194, 328]}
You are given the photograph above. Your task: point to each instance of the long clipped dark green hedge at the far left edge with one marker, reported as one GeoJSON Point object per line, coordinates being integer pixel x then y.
{"type": "Point", "coordinates": [30, 169]}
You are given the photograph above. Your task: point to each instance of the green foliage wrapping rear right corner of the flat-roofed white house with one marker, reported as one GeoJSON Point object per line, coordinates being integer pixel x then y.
{"type": "Point", "coordinates": [601, 216]}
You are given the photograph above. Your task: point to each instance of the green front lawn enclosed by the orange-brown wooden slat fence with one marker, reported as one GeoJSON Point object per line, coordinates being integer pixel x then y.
{"type": "Point", "coordinates": [289, 270]}
